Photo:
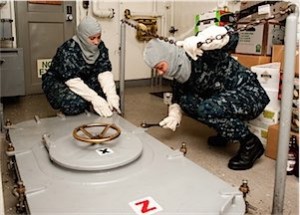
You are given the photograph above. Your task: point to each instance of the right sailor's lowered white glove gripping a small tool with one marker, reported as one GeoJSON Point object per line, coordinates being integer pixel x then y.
{"type": "Point", "coordinates": [172, 121]}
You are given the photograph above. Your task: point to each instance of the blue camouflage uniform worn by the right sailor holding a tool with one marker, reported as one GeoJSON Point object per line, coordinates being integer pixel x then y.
{"type": "Point", "coordinates": [221, 93]}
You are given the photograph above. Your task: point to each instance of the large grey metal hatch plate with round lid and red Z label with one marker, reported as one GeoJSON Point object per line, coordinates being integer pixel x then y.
{"type": "Point", "coordinates": [154, 178]}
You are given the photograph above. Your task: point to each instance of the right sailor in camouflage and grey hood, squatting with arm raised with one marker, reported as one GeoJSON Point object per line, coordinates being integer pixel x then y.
{"type": "Point", "coordinates": [213, 88]}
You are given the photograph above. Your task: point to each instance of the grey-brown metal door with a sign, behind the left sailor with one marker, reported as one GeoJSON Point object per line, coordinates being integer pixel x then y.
{"type": "Point", "coordinates": [41, 27]}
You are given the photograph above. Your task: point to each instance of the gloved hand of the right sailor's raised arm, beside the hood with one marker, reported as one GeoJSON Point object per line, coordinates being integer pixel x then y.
{"type": "Point", "coordinates": [190, 46]}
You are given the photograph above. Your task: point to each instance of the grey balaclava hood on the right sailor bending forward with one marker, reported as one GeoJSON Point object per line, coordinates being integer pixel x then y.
{"type": "Point", "coordinates": [179, 64]}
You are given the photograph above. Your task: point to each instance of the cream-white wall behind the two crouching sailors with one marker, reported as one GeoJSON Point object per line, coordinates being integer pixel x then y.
{"type": "Point", "coordinates": [170, 13]}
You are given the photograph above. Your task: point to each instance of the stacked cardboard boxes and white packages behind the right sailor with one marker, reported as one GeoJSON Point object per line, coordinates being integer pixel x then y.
{"type": "Point", "coordinates": [260, 48]}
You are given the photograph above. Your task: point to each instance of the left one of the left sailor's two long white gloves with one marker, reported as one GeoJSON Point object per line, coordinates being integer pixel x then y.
{"type": "Point", "coordinates": [101, 107]}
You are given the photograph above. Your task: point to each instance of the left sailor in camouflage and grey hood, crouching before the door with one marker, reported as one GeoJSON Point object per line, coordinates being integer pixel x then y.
{"type": "Point", "coordinates": [80, 76]}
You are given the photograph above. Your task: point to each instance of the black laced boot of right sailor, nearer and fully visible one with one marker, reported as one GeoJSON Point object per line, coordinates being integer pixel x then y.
{"type": "Point", "coordinates": [250, 150]}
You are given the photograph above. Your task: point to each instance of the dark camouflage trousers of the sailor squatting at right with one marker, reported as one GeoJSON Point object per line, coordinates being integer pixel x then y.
{"type": "Point", "coordinates": [226, 113]}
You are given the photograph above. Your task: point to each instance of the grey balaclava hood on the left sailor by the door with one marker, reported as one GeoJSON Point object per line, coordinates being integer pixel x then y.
{"type": "Point", "coordinates": [88, 26]}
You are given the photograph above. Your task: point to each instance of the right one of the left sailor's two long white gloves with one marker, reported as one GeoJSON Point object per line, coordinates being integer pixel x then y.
{"type": "Point", "coordinates": [106, 80]}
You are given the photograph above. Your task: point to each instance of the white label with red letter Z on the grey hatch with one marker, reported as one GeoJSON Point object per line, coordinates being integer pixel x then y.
{"type": "Point", "coordinates": [145, 206]}
